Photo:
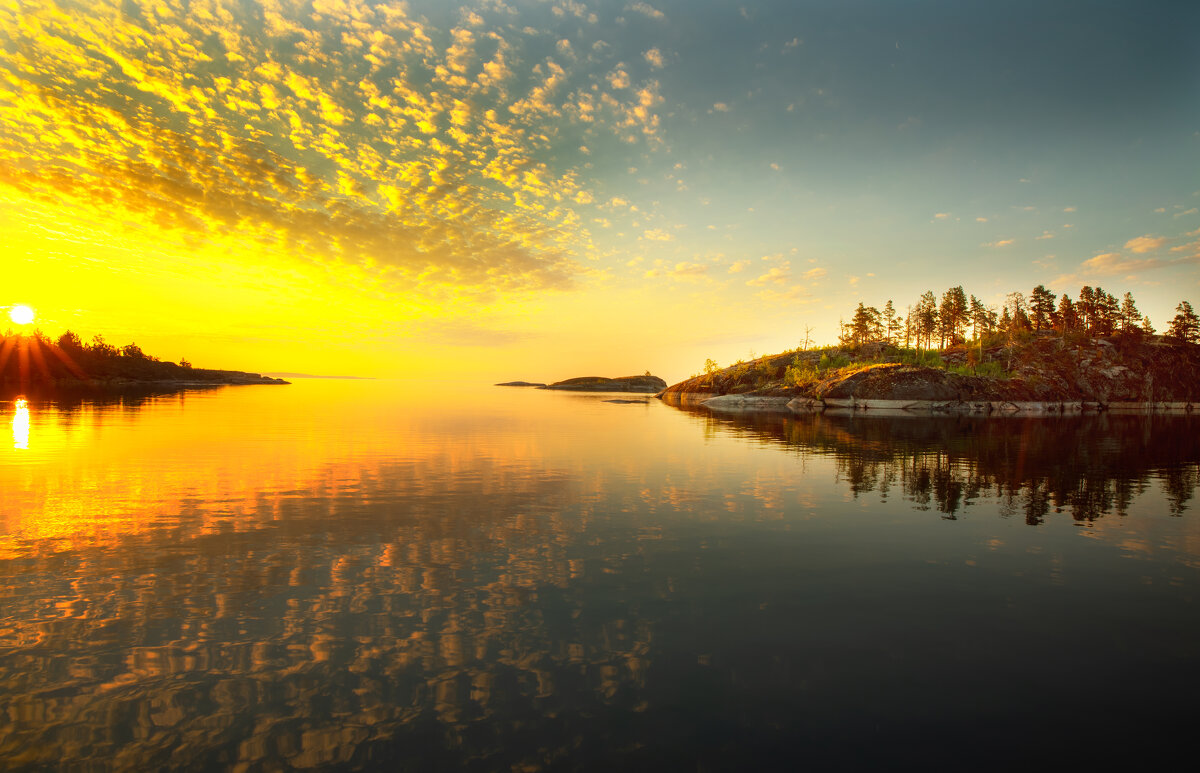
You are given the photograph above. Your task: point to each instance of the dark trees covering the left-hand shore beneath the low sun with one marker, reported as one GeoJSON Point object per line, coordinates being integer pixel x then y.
{"type": "Point", "coordinates": [38, 358]}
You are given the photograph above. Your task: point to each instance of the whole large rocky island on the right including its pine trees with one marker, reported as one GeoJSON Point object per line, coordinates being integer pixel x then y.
{"type": "Point", "coordinates": [1037, 357]}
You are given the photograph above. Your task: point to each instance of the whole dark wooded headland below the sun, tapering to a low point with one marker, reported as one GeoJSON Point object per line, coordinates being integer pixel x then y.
{"type": "Point", "coordinates": [35, 365]}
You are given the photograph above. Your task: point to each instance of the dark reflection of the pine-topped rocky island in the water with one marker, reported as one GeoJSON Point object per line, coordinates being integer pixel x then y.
{"type": "Point", "coordinates": [1089, 466]}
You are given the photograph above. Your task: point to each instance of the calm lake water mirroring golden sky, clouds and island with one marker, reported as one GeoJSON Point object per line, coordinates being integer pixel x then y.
{"type": "Point", "coordinates": [371, 574]}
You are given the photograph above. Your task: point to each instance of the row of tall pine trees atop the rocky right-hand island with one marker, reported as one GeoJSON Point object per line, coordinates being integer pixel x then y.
{"type": "Point", "coordinates": [928, 322]}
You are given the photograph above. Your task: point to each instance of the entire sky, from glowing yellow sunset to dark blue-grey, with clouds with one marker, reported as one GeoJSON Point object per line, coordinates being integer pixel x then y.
{"type": "Point", "coordinates": [549, 189]}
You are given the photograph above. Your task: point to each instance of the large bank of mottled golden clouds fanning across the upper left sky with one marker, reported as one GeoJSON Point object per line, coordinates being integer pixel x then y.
{"type": "Point", "coordinates": [363, 141]}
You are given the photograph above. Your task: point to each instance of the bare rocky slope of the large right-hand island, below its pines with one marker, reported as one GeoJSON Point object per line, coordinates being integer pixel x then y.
{"type": "Point", "coordinates": [1042, 375]}
